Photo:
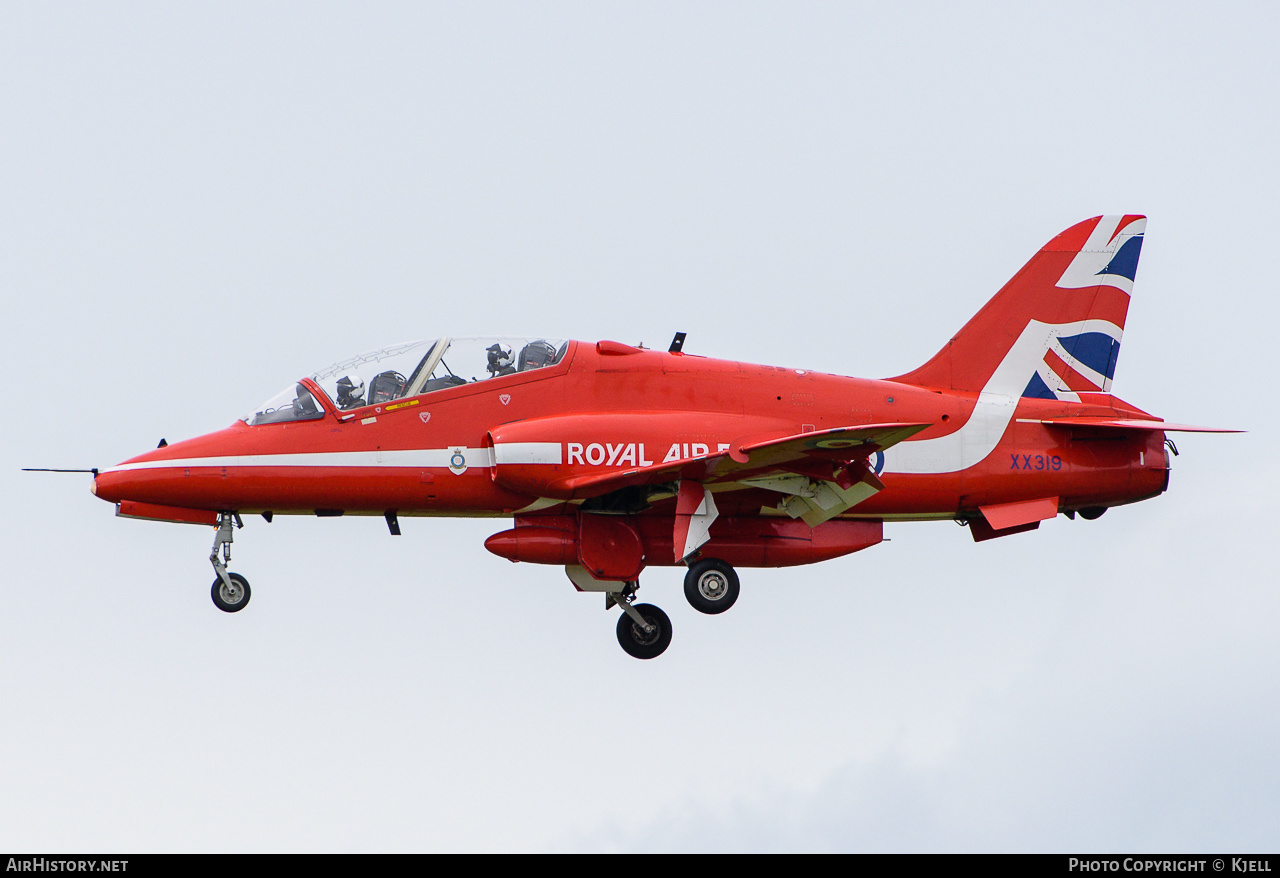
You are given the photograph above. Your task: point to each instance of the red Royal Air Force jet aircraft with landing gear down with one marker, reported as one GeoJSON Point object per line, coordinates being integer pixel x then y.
{"type": "Point", "coordinates": [612, 459]}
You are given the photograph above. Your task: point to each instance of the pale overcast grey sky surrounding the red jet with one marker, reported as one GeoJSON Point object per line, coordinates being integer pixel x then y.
{"type": "Point", "coordinates": [200, 203]}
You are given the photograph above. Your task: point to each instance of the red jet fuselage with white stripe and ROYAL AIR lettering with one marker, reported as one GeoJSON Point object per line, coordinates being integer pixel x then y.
{"type": "Point", "coordinates": [511, 443]}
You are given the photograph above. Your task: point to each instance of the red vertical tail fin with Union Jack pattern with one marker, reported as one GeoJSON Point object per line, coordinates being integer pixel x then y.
{"type": "Point", "coordinates": [1054, 331]}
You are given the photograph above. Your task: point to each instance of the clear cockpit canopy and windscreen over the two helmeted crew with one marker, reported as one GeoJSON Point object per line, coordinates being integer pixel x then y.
{"type": "Point", "coordinates": [409, 371]}
